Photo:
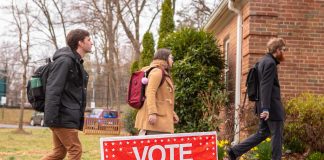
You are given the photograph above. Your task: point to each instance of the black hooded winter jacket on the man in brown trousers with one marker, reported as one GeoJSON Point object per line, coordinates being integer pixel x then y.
{"type": "Point", "coordinates": [66, 89]}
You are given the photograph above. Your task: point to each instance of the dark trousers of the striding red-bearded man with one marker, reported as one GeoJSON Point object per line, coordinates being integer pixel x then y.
{"type": "Point", "coordinates": [266, 129]}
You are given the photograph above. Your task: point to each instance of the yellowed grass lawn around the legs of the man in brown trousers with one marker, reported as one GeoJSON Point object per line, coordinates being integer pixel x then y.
{"type": "Point", "coordinates": [37, 144]}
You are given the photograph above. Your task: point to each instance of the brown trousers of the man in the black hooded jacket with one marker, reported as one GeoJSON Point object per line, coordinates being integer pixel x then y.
{"type": "Point", "coordinates": [65, 140]}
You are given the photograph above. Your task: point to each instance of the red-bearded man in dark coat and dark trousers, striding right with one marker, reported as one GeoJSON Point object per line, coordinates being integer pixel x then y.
{"type": "Point", "coordinates": [269, 108]}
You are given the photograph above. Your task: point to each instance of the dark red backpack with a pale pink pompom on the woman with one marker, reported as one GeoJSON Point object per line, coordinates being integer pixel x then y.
{"type": "Point", "coordinates": [136, 87]}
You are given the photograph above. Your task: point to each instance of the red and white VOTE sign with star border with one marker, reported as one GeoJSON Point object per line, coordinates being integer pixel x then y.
{"type": "Point", "coordinates": [183, 146]}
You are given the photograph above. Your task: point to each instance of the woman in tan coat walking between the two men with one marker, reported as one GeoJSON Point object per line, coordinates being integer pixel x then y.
{"type": "Point", "coordinates": [157, 115]}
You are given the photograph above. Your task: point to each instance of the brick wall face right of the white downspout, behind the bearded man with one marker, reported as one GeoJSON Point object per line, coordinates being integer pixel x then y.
{"type": "Point", "coordinates": [301, 24]}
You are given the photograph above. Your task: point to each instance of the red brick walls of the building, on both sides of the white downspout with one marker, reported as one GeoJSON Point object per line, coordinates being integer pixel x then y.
{"type": "Point", "coordinates": [300, 23]}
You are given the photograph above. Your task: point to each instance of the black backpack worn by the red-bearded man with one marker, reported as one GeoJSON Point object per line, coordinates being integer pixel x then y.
{"type": "Point", "coordinates": [252, 85]}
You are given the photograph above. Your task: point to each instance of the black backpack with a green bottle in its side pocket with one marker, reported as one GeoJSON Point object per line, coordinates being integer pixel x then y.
{"type": "Point", "coordinates": [36, 87]}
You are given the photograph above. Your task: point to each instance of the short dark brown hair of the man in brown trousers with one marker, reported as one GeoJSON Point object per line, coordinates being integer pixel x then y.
{"type": "Point", "coordinates": [74, 36]}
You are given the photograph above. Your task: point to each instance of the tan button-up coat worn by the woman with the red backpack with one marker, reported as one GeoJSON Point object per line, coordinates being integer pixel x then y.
{"type": "Point", "coordinates": [159, 101]}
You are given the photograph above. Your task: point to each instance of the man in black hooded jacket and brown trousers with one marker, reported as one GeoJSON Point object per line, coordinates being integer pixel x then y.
{"type": "Point", "coordinates": [65, 100]}
